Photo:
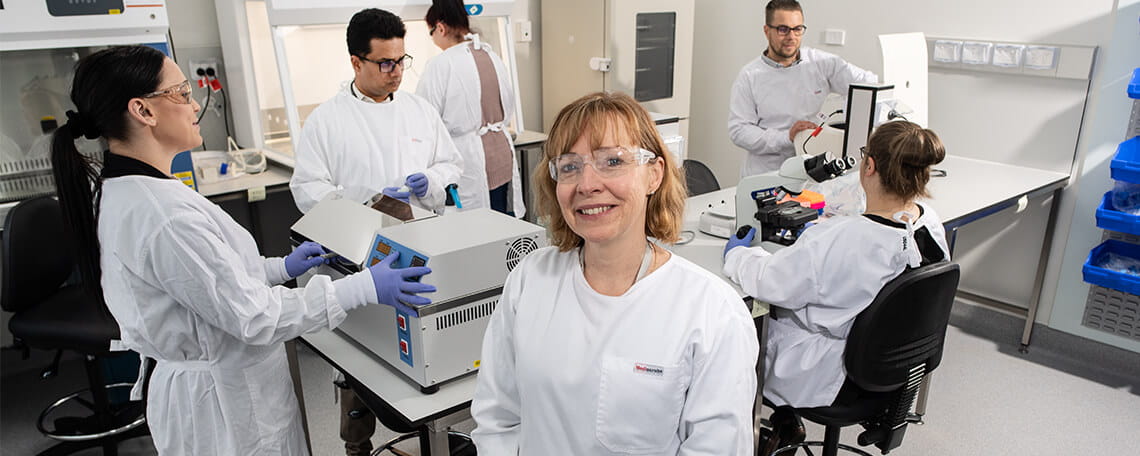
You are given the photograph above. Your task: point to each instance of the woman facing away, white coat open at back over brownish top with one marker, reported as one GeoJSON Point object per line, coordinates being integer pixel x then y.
{"type": "Point", "coordinates": [471, 88]}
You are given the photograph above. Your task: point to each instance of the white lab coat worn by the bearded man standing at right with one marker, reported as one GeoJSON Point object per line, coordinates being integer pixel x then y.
{"type": "Point", "coordinates": [767, 102]}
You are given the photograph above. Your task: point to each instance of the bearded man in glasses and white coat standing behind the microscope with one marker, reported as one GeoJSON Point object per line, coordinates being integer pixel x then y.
{"type": "Point", "coordinates": [777, 94]}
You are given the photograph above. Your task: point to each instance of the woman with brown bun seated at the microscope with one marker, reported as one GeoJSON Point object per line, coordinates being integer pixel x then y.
{"type": "Point", "coordinates": [819, 286]}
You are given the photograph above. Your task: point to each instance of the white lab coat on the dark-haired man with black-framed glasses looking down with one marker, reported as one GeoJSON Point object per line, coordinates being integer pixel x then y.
{"type": "Point", "coordinates": [364, 148]}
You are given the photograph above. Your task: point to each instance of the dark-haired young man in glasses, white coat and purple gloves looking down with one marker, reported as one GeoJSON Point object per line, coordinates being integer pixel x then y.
{"type": "Point", "coordinates": [372, 139]}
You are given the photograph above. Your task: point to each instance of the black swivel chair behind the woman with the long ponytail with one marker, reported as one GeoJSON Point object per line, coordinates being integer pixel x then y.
{"type": "Point", "coordinates": [53, 315]}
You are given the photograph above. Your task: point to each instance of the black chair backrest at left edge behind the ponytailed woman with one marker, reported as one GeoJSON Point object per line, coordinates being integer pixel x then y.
{"type": "Point", "coordinates": [37, 254]}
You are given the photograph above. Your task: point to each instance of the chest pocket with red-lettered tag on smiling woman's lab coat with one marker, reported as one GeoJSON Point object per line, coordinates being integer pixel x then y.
{"type": "Point", "coordinates": [639, 404]}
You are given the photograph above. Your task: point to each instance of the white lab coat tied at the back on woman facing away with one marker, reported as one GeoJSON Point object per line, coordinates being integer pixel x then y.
{"type": "Point", "coordinates": [451, 84]}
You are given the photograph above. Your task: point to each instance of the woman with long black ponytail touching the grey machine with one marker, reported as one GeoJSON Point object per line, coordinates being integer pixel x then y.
{"type": "Point", "coordinates": [183, 280]}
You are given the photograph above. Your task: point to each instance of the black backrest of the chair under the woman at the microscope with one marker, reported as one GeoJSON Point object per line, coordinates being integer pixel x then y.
{"type": "Point", "coordinates": [905, 328]}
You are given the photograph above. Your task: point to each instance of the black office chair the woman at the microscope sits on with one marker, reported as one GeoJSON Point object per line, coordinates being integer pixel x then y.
{"type": "Point", "coordinates": [893, 346]}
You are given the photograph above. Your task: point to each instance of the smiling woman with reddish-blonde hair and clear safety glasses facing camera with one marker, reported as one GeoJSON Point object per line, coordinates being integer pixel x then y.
{"type": "Point", "coordinates": [606, 344]}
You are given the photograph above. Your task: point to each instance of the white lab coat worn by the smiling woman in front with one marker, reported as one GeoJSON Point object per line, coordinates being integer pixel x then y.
{"type": "Point", "coordinates": [667, 369]}
